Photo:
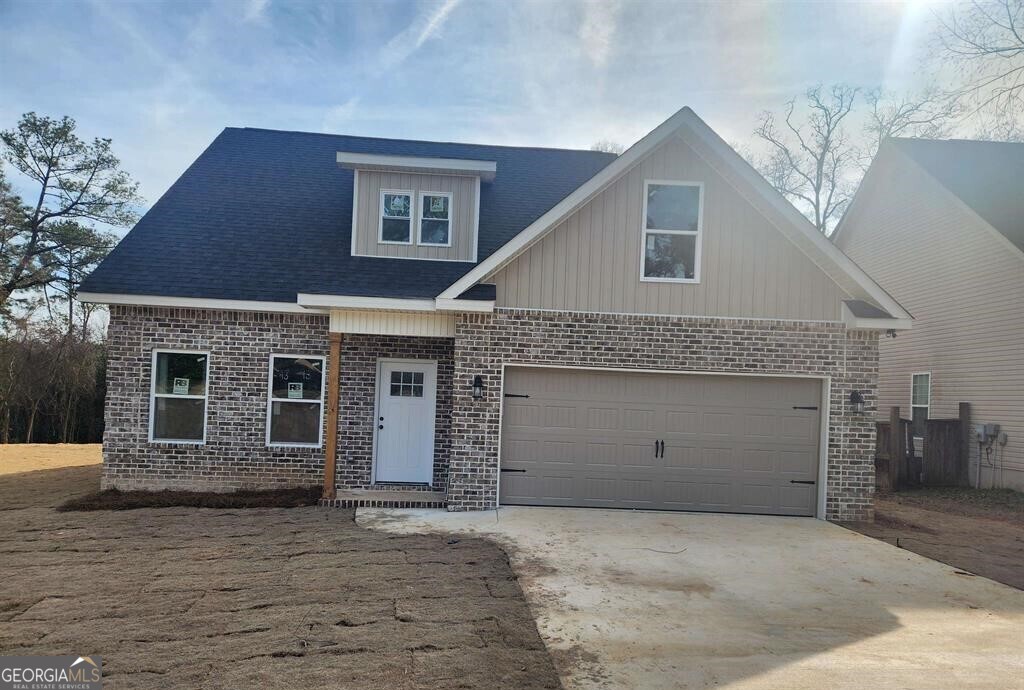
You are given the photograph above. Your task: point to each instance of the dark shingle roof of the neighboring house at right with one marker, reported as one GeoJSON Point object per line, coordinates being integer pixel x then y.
{"type": "Point", "coordinates": [989, 177]}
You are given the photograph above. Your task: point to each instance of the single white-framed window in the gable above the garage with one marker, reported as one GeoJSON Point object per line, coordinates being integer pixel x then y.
{"type": "Point", "coordinates": [672, 214]}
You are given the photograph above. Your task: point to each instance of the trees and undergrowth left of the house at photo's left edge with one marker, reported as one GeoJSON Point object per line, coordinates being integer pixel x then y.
{"type": "Point", "coordinates": [53, 235]}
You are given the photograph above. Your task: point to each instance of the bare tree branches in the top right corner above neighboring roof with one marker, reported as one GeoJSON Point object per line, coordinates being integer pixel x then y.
{"type": "Point", "coordinates": [986, 41]}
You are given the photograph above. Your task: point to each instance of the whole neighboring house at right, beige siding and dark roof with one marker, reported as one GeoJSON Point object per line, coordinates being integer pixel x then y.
{"type": "Point", "coordinates": [941, 225]}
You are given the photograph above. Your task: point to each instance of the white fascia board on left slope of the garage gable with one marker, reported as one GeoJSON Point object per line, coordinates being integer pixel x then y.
{"type": "Point", "coordinates": [563, 209]}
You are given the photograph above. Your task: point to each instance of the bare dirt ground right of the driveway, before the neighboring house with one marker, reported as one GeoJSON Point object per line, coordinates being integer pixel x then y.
{"type": "Point", "coordinates": [983, 533]}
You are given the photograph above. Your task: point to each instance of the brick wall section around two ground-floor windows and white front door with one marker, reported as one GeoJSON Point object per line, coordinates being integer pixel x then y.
{"type": "Point", "coordinates": [236, 455]}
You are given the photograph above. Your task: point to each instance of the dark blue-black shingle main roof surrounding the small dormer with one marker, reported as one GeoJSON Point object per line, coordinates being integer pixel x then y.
{"type": "Point", "coordinates": [265, 214]}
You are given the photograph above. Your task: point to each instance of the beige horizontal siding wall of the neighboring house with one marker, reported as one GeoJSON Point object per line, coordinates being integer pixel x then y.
{"type": "Point", "coordinates": [966, 290]}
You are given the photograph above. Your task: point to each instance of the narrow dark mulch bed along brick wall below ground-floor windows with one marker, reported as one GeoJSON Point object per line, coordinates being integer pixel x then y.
{"type": "Point", "coordinates": [113, 499]}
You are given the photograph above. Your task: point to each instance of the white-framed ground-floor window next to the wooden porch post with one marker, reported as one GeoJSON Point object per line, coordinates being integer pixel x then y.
{"type": "Point", "coordinates": [295, 409]}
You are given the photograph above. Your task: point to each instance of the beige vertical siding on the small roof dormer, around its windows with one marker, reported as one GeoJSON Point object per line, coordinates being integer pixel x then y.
{"type": "Point", "coordinates": [367, 214]}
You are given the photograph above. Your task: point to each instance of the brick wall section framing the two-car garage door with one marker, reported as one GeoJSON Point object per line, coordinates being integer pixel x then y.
{"type": "Point", "coordinates": [485, 342]}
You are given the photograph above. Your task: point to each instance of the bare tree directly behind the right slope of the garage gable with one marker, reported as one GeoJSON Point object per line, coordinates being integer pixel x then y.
{"type": "Point", "coordinates": [810, 157]}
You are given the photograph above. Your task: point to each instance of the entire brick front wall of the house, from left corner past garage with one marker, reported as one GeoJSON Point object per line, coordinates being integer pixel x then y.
{"type": "Point", "coordinates": [236, 455]}
